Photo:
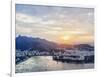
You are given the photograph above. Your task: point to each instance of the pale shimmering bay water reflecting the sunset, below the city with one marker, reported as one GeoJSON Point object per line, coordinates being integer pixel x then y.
{"type": "Point", "coordinates": [46, 63]}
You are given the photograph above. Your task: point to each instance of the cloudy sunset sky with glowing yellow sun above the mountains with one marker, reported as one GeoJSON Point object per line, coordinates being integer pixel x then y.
{"type": "Point", "coordinates": [63, 25]}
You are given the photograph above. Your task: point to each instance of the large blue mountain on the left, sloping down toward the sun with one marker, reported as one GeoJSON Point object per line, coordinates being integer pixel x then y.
{"type": "Point", "coordinates": [30, 43]}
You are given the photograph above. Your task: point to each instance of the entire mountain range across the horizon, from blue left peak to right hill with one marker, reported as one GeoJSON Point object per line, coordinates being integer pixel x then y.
{"type": "Point", "coordinates": [30, 43]}
